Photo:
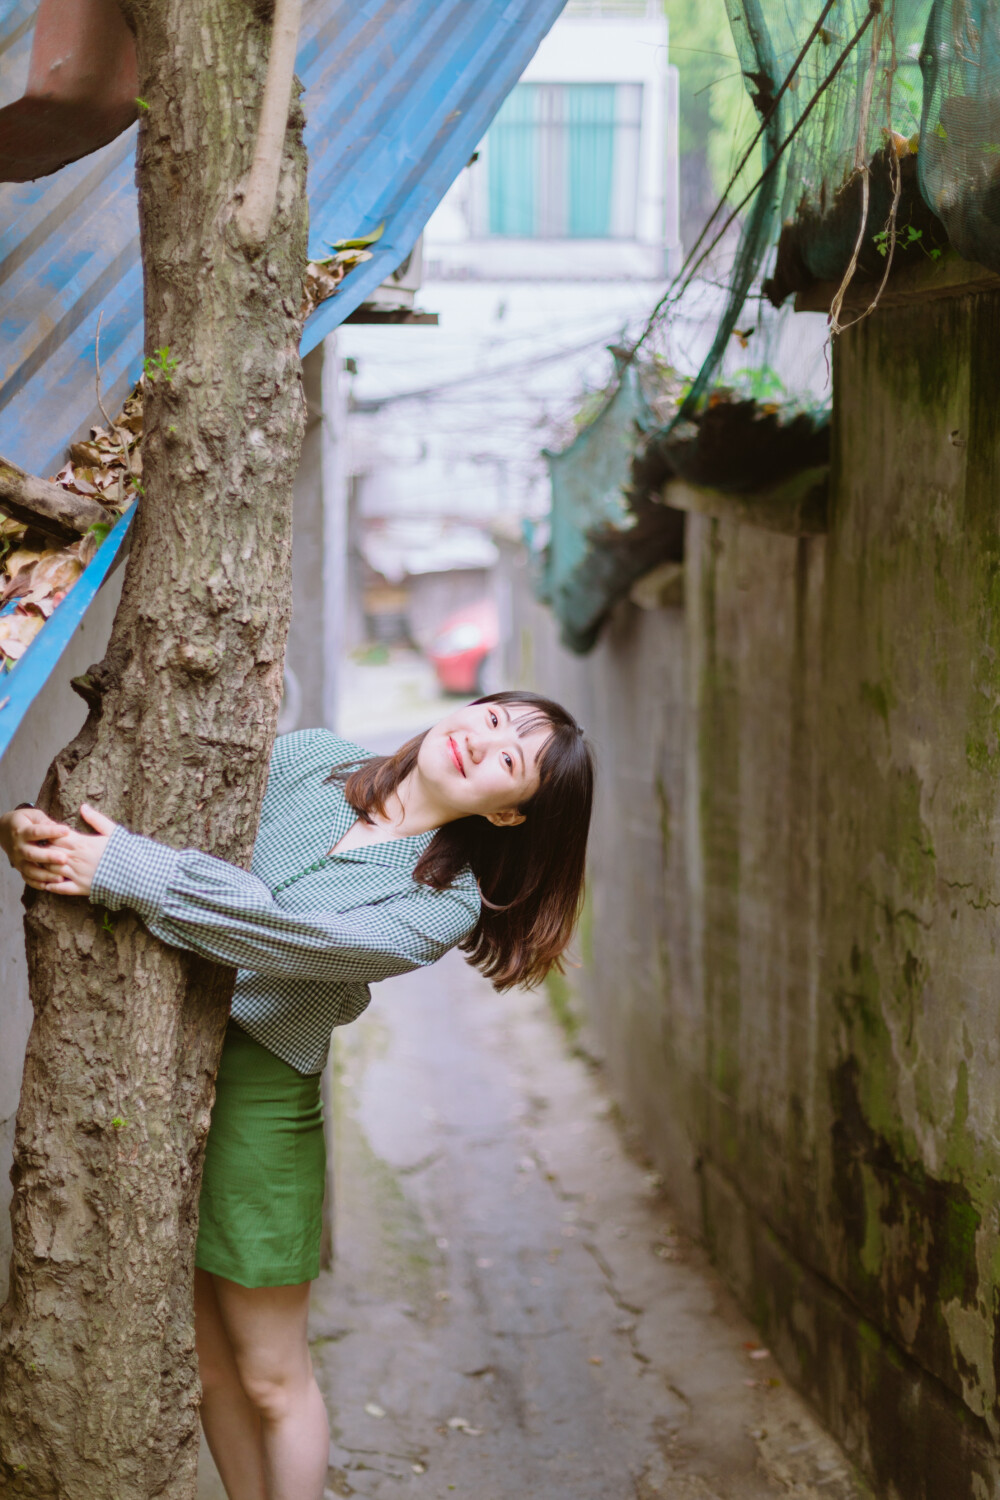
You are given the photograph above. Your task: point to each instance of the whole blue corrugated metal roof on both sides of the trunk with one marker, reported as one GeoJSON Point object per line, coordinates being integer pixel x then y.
{"type": "Point", "coordinates": [398, 97]}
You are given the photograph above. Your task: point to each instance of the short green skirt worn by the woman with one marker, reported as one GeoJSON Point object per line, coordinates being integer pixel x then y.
{"type": "Point", "coordinates": [266, 1168]}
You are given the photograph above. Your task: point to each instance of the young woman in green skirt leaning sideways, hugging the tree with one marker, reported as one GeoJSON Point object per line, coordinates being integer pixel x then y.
{"type": "Point", "coordinates": [473, 835]}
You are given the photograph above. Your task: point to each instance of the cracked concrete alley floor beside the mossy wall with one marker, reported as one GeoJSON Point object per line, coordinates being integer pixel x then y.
{"type": "Point", "coordinates": [513, 1312]}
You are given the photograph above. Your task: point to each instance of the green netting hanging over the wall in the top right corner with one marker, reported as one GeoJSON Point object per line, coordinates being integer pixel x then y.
{"type": "Point", "coordinates": [879, 145]}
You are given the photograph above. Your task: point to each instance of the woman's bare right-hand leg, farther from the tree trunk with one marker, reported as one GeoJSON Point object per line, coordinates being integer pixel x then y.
{"type": "Point", "coordinates": [266, 1328]}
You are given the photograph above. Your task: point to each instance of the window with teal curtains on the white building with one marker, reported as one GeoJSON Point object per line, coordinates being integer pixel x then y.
{"type": "Point", "coordinates": [564, 161]}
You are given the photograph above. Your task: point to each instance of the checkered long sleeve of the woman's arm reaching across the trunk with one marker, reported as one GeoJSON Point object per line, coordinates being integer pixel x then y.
{"type": "Point", "coordinates": [197, 902]}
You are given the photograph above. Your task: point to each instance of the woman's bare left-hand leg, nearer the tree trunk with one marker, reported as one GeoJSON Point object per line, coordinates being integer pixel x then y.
{"type": "Point", "coordinates": [232, 1424]}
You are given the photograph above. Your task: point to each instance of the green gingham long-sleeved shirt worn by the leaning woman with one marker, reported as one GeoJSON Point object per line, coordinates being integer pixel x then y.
{"type": "Point", "coordinates": [308, 931]}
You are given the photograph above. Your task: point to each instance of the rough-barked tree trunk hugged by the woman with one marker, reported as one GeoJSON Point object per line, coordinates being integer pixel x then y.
{"type": "Point", "coordinates": [98, 1387]}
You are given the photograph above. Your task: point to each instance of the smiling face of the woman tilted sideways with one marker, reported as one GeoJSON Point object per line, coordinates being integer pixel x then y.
{"type": "Point", "coordinates": [476, 761]}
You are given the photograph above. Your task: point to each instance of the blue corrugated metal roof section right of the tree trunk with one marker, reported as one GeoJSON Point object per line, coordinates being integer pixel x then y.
{"type": "Point", "coordinates": [398, 95]}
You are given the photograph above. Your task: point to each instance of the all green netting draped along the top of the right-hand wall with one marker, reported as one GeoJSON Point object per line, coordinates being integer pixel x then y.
{"type": "Point", "coordinates": [879, 145]}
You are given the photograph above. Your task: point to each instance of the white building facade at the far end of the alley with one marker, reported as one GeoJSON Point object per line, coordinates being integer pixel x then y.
{"type": "Point", "coordinates": [554, 244]}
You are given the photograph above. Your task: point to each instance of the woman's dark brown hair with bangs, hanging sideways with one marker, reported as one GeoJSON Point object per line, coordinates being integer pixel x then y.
{"type": "Point", "coordinates": [530, 877]}
